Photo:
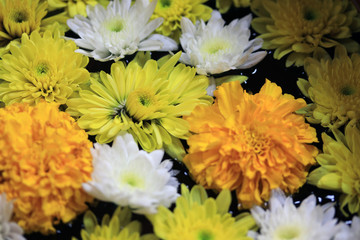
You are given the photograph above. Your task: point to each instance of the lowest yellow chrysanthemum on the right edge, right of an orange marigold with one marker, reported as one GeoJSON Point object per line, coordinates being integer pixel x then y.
{"type": "Point", "coordinates": [340, 167]}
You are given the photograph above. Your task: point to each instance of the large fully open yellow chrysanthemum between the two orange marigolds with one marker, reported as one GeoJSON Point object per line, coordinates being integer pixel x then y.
{"type": "Point", "coordinates": [147, 102]}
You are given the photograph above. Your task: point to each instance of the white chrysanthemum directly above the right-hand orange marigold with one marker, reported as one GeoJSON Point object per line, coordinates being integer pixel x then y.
{"type": "Point", "coordinates": [214, 48]}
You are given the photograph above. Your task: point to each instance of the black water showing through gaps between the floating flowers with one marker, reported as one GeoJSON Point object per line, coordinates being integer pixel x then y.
{"type": "Point", "coordinates": [269, 68]}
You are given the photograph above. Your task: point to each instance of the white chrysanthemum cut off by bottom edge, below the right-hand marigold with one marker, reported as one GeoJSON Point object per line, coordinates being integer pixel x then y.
{"type": "Point", "coordinates": [284, 221]}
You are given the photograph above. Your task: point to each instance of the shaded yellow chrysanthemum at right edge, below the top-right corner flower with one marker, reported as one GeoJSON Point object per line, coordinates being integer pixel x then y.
{"type": "Point", "coordinates": [334, 87]}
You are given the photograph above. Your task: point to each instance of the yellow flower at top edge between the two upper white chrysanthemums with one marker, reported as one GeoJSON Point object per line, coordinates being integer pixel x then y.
{"type": "Point", "coordinates": [173, 10]}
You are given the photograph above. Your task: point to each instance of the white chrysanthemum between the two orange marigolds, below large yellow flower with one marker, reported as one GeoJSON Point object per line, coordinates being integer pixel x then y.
{"type": "Point", "coordinates": [127, 176]}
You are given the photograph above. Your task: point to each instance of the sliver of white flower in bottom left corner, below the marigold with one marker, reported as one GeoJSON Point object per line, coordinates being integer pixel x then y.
{"type": "Point", "coordinates": [8, 230]}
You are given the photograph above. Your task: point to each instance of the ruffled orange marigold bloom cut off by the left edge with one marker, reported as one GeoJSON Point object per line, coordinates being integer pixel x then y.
{"type": "Point", "coordinates": [44, 159]}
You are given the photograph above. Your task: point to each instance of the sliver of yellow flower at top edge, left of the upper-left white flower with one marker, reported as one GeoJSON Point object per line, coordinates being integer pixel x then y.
{"type": "Point", "coordinates": [74, 7]}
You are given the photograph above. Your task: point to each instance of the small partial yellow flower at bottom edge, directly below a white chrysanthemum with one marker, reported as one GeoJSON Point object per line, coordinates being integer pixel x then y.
{"type": "Point", "coordinates": [119, 227]}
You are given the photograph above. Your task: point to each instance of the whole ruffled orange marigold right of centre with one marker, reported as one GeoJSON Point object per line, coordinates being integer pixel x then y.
{"type": "Point", "coordinates": [250, 143]}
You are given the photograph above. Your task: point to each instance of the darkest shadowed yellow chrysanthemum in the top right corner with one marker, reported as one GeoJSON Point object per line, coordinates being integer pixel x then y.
{"type": "Point", "coordinates": [301, 27]}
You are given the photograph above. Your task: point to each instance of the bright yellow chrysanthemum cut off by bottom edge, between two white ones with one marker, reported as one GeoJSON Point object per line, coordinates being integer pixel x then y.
{"type": "Point", "coordinates": [198, 217]}
